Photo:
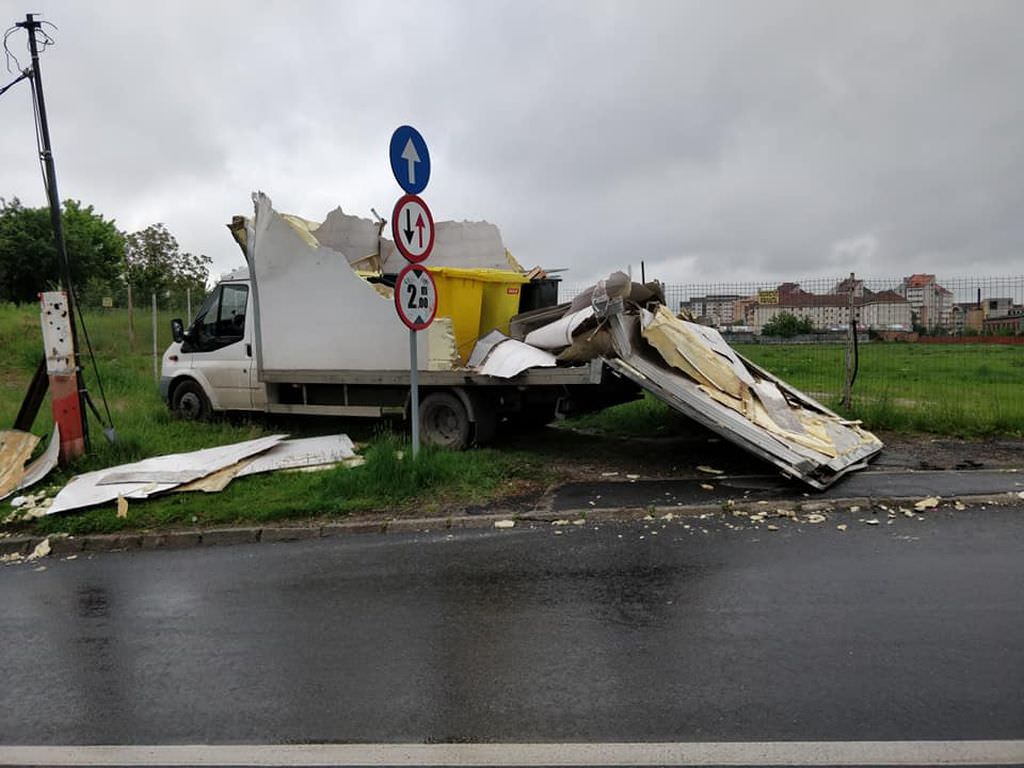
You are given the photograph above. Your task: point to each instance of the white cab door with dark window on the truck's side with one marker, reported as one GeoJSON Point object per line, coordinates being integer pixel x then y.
{"type": "Point", "coordinates": [222, 343]}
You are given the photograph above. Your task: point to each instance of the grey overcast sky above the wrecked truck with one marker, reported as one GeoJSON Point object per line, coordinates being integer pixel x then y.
{"type": "Point", "coordinates": [714, 141]}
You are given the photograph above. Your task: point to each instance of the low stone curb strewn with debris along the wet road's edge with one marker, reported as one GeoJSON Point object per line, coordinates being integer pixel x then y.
{"type": "Point", "coordinates": [64, 545]}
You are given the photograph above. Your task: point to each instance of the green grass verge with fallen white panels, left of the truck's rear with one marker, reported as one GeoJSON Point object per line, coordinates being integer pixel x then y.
{"type": "Point", "coordinates": [435, 482]}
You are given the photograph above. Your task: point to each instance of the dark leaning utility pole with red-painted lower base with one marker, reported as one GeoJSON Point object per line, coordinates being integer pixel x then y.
{"type": "Point", "coordinates": [68, 388]}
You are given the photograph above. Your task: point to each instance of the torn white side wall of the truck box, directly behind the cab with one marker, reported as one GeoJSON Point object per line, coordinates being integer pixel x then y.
{"type": "Point", "coordinates": [314, 312]}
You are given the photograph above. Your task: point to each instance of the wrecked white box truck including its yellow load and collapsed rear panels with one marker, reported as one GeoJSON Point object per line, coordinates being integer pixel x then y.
{"type": "Point", "coordinates": [310, 327]}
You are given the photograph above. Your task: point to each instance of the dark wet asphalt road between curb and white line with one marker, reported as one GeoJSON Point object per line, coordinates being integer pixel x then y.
{"type": "Point", "coordinates": [613, 632]}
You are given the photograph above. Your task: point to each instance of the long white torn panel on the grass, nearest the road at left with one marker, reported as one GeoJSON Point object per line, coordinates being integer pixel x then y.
{"type": "Point", "coordinates": [90, 490]}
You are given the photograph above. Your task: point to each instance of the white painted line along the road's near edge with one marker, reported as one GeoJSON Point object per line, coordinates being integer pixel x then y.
{"type": "Point", "coordinates": [613, 754]}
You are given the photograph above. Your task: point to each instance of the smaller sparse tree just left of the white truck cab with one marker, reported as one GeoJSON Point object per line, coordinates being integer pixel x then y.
{"type": "Point", "coordinates": [155, 264]}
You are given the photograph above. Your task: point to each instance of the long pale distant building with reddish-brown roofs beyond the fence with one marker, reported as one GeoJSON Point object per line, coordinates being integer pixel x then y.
{"type": "Point", "coordinates": [879, 311]}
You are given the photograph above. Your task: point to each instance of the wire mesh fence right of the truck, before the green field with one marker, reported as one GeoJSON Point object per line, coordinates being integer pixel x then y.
{"type": "Point", "coordinates": [928, 348]}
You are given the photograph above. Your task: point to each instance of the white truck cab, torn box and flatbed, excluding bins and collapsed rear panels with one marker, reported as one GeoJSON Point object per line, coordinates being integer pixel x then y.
{"type": "Point", "coordinates": [300, 331]}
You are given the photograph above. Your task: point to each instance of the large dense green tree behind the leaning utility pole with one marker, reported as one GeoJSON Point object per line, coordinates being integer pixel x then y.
{"type": "Point", "coordinates": [29, 260]}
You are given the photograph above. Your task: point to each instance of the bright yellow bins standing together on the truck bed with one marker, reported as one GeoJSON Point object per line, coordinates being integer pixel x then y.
{"type": "Point", "coordinates": [478, 302]}
